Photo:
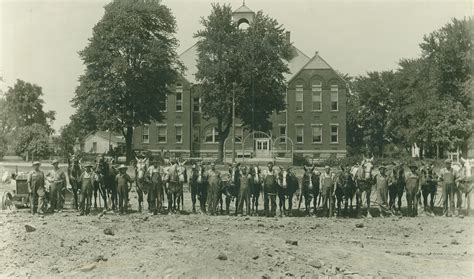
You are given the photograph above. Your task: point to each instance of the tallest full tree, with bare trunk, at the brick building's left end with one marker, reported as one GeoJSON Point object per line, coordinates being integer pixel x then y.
{"type": "Point", "coordinates": [131, 63]}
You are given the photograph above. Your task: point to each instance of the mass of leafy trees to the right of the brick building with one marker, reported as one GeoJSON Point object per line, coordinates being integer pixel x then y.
{"type": "Point", "coordinates": [427, 101]}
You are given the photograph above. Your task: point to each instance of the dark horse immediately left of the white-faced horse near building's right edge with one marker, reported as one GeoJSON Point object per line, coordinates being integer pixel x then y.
{"type": "Point", "coordinates": [345, 189]}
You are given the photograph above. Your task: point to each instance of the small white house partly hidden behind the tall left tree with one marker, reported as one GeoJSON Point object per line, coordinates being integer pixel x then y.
{"type": "Point", "coordinates": [102, 141]}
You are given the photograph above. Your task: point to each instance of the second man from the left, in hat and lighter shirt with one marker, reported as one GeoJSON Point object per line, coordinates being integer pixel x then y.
{"type": "Point", "coordinates": [57, 182]}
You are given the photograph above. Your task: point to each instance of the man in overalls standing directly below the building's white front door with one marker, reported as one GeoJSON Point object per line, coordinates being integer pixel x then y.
{"type": "Point", "coordinates": [270, 190]}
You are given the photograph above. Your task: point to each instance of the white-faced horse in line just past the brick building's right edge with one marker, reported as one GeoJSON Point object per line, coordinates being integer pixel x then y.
{"type": "Point", "coordinates": [364, 181]}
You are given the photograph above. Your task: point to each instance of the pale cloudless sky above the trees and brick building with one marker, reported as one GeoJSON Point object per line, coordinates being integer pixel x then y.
{"type": "Point", "coordinates": [39, 40]}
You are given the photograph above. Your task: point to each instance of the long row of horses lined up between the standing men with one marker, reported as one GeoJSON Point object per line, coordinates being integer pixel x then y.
{"type": "Point", "coordinates": [352, 185]}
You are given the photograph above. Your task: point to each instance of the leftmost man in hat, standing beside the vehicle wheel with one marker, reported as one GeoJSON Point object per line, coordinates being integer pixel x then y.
{"type": "Point", "coordinates": [35, 183]}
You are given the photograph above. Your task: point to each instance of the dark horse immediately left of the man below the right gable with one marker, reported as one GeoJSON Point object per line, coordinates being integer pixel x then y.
{"type": "Point", "coordinates": [309, 189]}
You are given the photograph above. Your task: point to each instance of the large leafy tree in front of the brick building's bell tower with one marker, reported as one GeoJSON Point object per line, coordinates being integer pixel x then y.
{"type": "Point", "coordinates": [252, 62]}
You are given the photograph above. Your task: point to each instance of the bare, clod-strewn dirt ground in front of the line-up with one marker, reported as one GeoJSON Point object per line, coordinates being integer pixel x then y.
{"type": "Point", "coordinates": [201, 246]}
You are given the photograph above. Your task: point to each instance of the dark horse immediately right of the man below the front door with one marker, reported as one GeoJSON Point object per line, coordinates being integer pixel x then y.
{"type": "Point", "coordinates": [287, 187]}
